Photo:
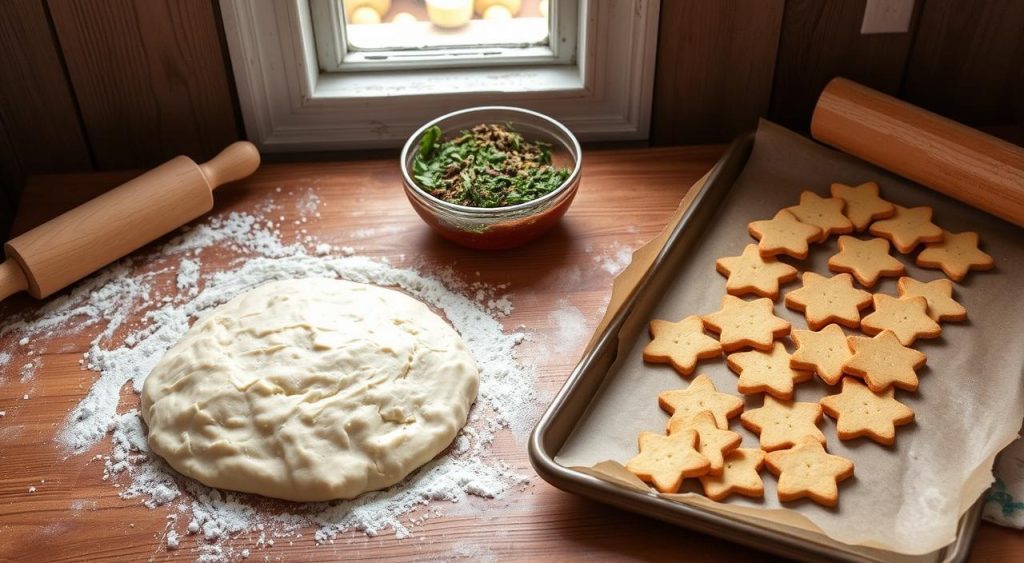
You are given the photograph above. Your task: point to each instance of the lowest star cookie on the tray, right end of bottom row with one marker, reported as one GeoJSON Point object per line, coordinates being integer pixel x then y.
{"type": "Point", "coordinates": [808, 471]}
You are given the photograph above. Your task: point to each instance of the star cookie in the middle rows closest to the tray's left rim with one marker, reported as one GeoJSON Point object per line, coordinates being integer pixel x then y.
{"type": "Point", "coordinates": [680, 344]}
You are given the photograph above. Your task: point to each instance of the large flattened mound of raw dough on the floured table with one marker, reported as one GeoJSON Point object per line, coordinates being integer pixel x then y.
{"type": "Point", "coordinates": [311, 391]}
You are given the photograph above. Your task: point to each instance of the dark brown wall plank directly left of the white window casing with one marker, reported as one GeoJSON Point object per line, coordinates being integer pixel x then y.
{"type": "Point", "coordinates": [151, 78]}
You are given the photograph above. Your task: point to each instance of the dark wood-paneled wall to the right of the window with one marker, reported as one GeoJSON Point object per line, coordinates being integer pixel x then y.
{"type": "Point", "coordinates": [751, 59]}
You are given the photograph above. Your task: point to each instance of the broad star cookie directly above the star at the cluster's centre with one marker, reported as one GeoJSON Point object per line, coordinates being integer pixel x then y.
{"type": "Point", "coordinates": [825, 300]}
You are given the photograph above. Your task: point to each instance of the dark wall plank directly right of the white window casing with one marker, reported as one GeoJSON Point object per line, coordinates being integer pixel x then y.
{"type": "Point", "coordinates": [715, 66]}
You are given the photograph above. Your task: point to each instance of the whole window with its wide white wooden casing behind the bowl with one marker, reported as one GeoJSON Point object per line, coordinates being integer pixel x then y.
{"type": "Point", "coordinates": [312, 76]}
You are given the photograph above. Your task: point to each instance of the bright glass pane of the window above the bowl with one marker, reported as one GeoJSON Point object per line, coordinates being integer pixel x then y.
{"type": "Point", "coordinates": [421, 25]}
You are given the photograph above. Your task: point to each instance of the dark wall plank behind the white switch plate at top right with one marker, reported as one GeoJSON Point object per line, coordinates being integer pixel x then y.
{"type": "Point", "coordinates": [822, 40]}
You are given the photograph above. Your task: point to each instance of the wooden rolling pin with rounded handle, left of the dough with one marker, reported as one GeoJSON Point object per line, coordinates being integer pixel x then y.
{"type": "Point", "coordinates": [74, 245]}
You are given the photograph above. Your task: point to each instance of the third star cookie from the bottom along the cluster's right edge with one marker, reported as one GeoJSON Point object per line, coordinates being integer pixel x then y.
{"type": "Point", "coordinates": [882, 362]}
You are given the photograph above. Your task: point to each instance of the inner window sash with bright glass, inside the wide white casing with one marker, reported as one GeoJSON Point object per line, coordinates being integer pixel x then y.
{"type": "Point", "coordinates": [362, 35]}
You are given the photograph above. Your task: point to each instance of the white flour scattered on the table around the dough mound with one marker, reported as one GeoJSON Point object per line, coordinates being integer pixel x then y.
{"type": "Point", "coordinates": [134, 319]}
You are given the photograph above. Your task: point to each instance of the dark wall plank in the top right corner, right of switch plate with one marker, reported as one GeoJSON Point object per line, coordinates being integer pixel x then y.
{"type": "Point", "coordinates": [968, 62]}
